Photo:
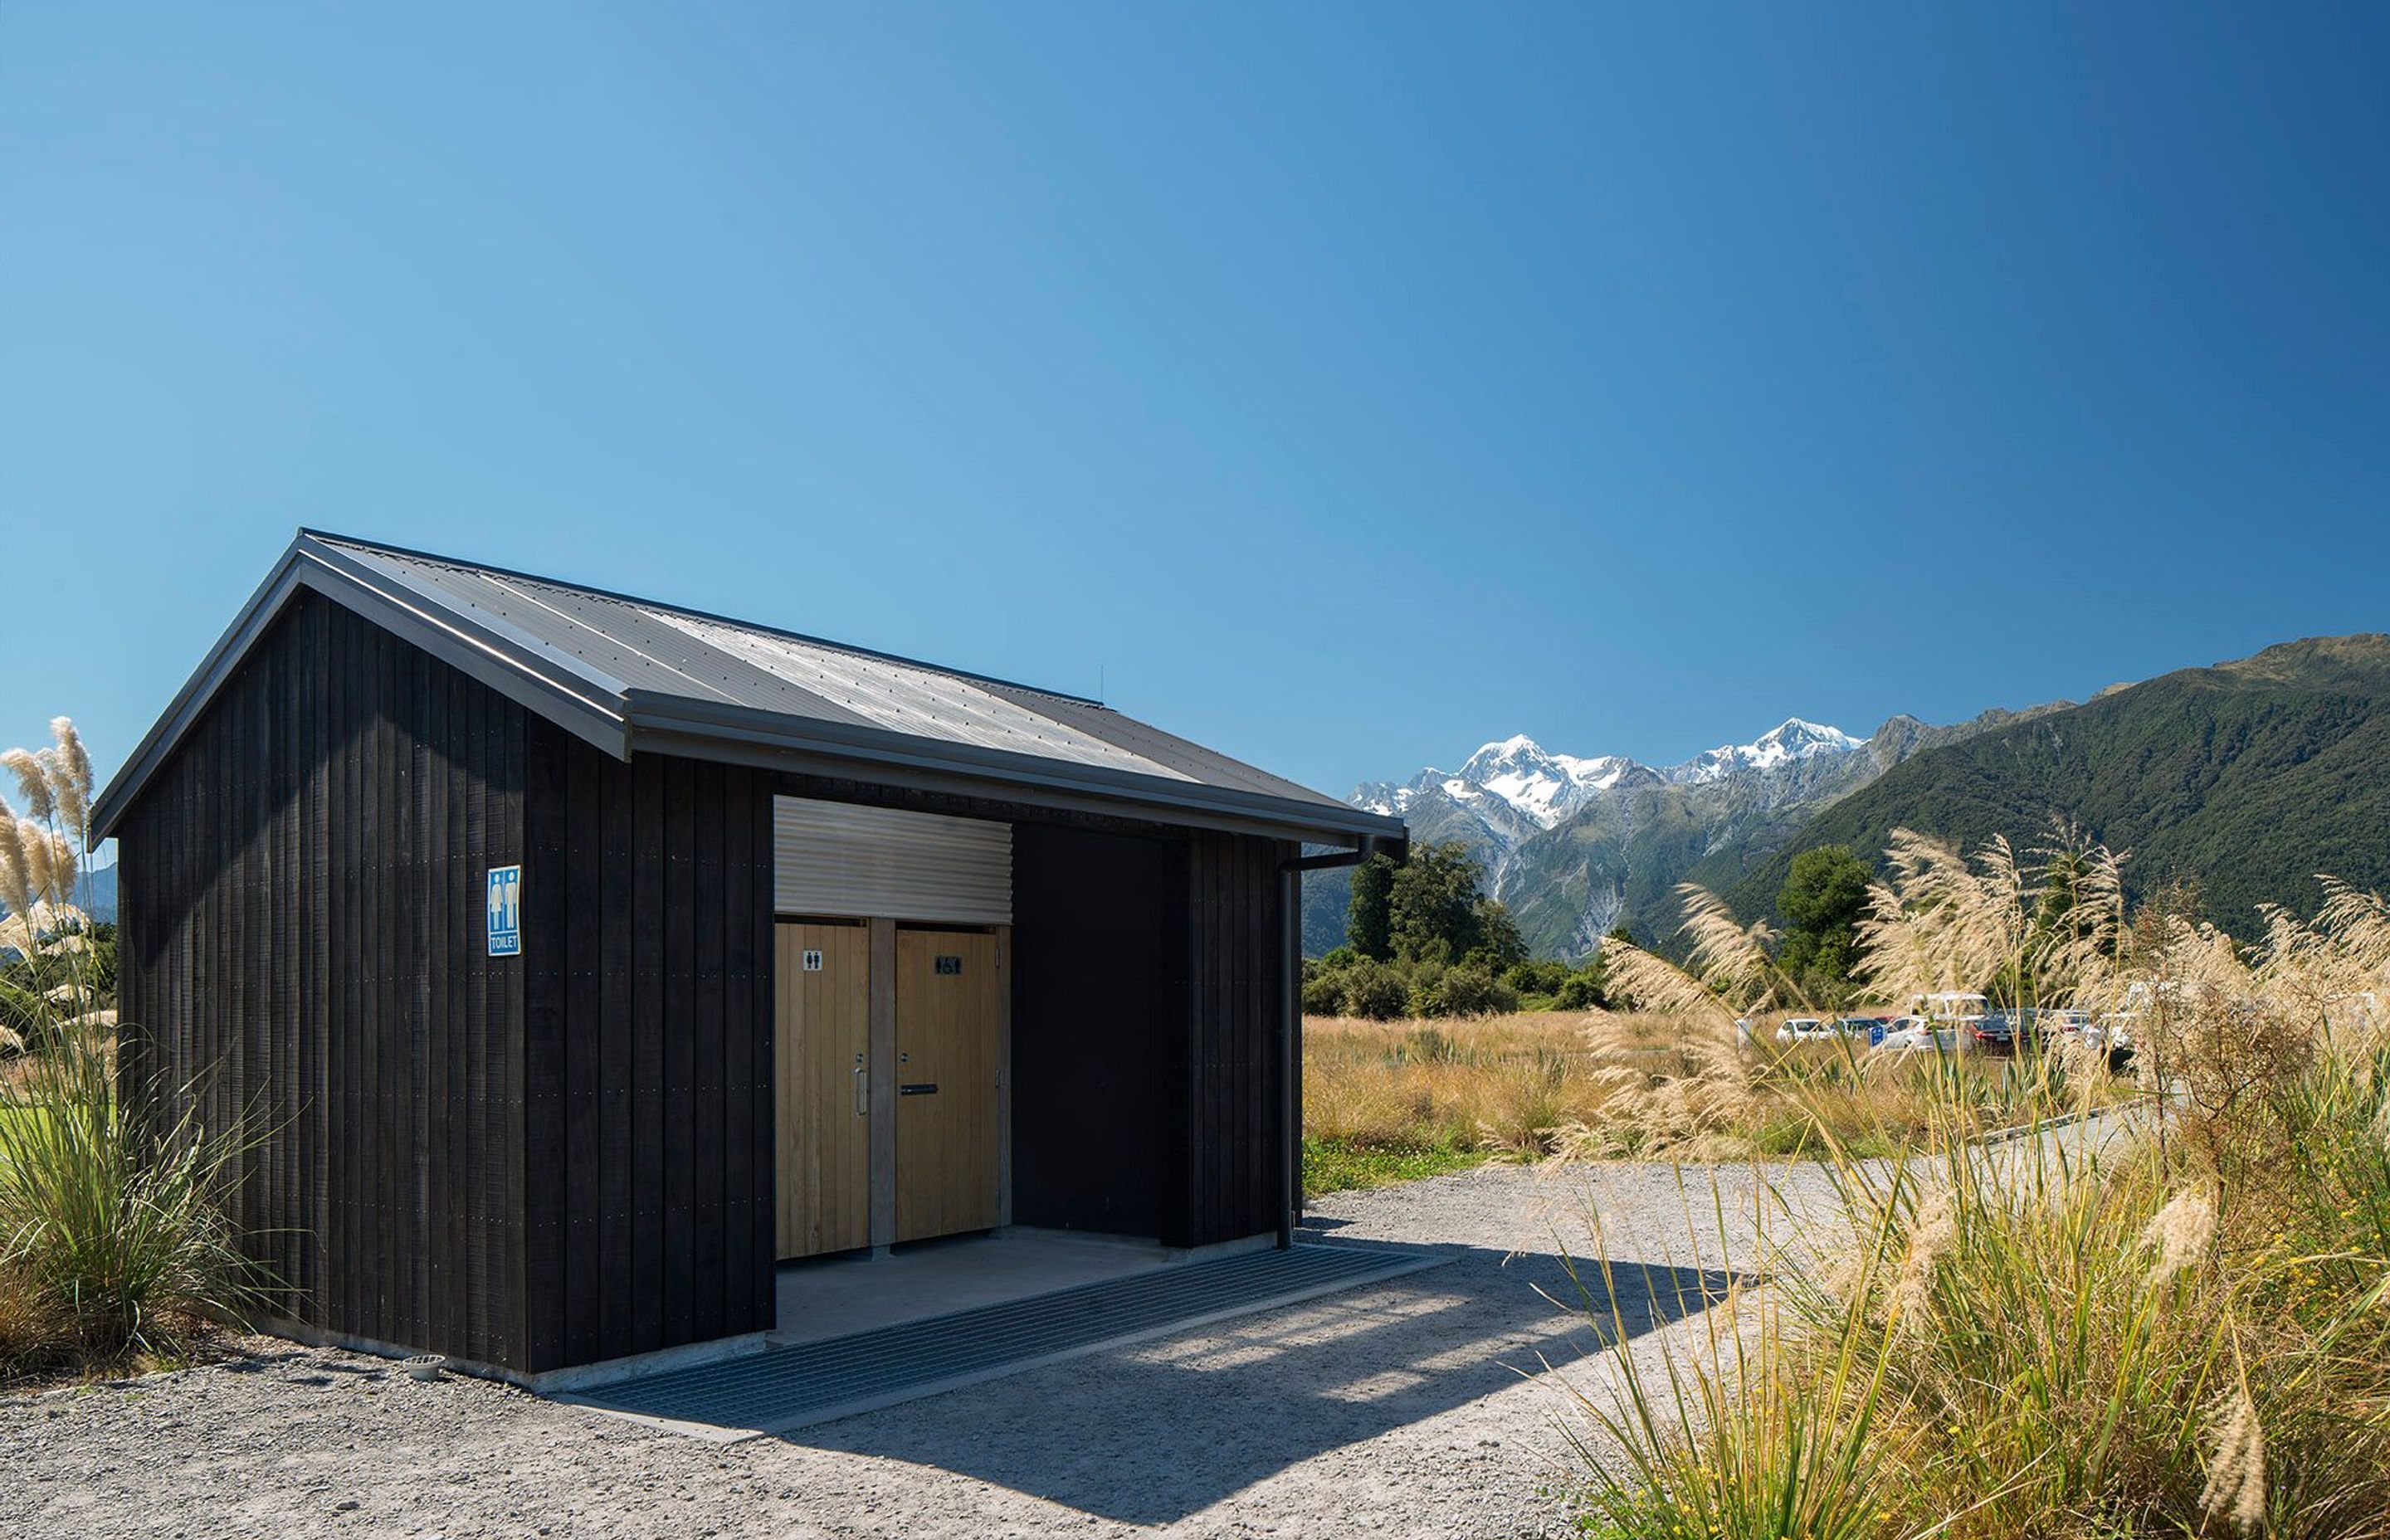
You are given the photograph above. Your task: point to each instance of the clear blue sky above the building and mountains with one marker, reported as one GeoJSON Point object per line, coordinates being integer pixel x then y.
{"type": "Point", "coordinates": [1349, 384]}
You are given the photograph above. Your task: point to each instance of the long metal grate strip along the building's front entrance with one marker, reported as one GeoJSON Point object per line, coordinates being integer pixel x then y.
{"type": "Point", "coordinates": [821, 1381]}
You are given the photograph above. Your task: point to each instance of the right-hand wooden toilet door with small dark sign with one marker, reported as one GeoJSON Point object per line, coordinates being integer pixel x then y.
{"type": "Point", "coordinates": [950, 1046]}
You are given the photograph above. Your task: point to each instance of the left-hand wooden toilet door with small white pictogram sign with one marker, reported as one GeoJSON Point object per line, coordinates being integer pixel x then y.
{"type": "Point", "coordinates": [821, 1056]}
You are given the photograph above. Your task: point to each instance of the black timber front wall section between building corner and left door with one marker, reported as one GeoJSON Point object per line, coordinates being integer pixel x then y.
{"type": "Point", "coordinates": [649, 1132]}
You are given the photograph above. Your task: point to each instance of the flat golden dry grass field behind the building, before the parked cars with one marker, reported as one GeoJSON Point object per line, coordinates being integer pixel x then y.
{"type": "Point", "coordinates": [1395, 1101]}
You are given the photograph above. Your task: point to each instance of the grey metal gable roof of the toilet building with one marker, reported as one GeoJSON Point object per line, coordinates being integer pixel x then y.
{"type": "Point", "coordinates": [639, 676]}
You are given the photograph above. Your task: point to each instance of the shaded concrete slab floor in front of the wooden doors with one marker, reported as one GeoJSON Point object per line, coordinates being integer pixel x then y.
{"type": "Point", "coordinates": [845, 1295]}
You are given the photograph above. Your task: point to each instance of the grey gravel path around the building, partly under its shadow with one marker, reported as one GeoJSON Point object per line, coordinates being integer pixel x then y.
{"type": "Point", "coordinates": [1414, 1407]}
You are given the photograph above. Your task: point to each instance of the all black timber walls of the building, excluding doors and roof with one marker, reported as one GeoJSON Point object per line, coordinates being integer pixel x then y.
{"type": "Point", "coordinates": [570, 1156]}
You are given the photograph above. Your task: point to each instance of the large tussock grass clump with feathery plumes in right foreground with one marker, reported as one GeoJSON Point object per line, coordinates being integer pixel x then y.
{"type": "Point", "coordinates": [2176, 1331]}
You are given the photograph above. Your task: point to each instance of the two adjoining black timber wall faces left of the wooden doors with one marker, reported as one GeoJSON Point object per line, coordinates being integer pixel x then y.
{"type": "Point", "coordinates": [525, 1161]}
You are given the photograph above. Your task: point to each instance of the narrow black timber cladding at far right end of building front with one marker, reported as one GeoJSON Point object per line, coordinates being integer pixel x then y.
{"type": "Point", "coordinates": [1234, 1022]}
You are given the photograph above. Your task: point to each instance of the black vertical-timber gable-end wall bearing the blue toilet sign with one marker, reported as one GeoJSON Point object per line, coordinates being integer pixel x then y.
{"type": "Point", "coordinates": [302, 946]}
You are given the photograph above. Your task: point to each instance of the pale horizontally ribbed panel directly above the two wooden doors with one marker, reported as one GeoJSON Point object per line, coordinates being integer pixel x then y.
{"type": "Point", "coordinates": [845, 860]}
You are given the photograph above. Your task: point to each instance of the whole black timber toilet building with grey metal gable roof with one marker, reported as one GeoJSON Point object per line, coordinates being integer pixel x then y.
{"type": "Point", "coordinates": [580, 960]}
